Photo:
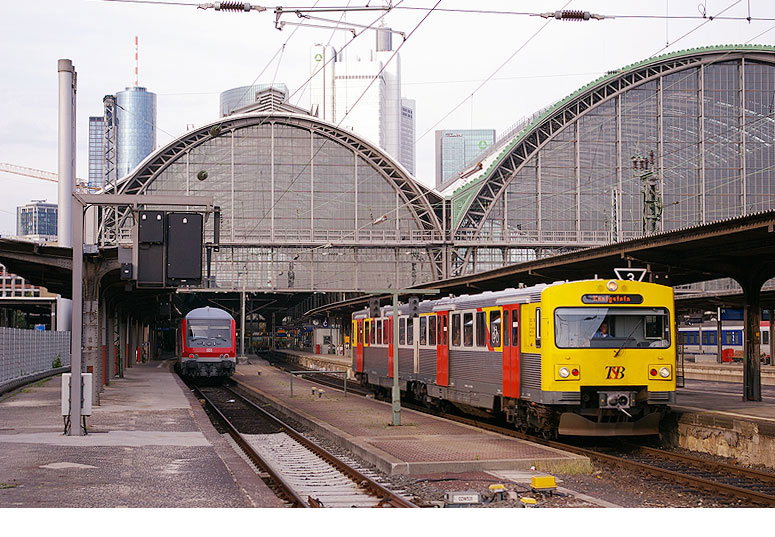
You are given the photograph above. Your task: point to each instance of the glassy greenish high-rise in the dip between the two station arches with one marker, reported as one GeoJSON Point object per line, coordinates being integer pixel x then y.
{"type": "Point", "coordinates": [455, 149]}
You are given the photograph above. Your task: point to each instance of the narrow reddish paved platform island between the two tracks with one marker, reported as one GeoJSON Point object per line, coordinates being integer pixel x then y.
{"type": "Point", "coordinates": [423, 444]}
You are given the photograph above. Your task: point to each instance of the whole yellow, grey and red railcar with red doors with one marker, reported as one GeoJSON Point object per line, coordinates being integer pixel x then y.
{"type": "Point", "coordinates": [594, 357]}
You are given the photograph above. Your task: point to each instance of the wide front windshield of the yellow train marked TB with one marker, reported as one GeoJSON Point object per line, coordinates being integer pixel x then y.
{"type": "Point", "coordinates": [612, 328]}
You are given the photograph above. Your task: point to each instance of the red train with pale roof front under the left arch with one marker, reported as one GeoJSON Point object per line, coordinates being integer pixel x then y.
{"type": "Point", "coordinates": [207, 344]}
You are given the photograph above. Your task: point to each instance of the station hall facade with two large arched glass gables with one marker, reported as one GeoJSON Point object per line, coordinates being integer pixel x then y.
{"type": "Point", "coordinates": [673, 141]}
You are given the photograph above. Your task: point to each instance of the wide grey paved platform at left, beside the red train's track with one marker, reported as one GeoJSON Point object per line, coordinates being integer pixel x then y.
{"type": "Point", "coordinates": [150, 444]}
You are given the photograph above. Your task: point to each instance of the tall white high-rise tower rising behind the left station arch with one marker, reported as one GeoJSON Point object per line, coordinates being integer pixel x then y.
{"type": "Point", "coordinates": [364, 96]}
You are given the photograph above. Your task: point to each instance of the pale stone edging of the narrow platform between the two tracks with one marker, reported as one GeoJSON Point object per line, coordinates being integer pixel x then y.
{"type": "Point", "coordinates": [388, 464]}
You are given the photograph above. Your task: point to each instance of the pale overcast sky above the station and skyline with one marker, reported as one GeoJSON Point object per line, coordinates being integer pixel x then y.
{"type": "Point", "coordinates": [189, 55]}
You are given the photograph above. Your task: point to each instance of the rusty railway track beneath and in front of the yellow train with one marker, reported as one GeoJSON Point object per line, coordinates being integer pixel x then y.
{"type": "Point", "coordinates": [723, 480]}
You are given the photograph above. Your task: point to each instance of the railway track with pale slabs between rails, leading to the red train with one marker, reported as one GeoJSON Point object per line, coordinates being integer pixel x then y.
{"type": "Point", "coordinates": [301, 471]}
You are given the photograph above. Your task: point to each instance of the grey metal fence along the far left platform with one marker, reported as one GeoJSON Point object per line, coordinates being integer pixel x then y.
{"type": "Point", "coordinates": [25, 354]}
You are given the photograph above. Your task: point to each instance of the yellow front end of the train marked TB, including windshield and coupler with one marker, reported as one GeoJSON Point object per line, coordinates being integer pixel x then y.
{"type": "Point", "coordinates": [613, 343]}
